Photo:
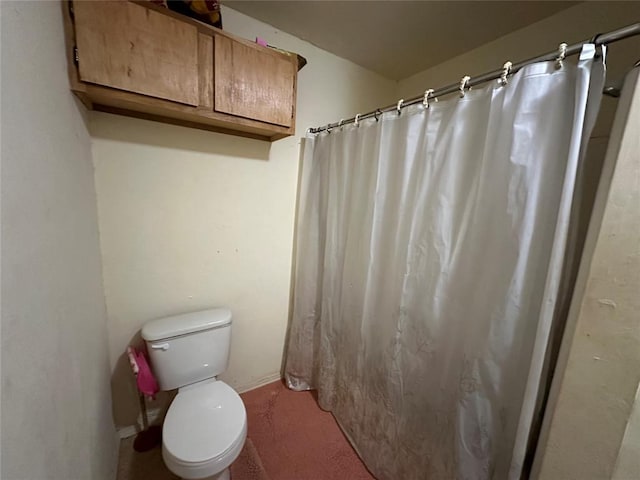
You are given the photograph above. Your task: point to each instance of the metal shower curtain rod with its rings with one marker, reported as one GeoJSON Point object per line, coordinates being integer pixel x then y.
{"type": "Point", "coordinates": [467, 82]}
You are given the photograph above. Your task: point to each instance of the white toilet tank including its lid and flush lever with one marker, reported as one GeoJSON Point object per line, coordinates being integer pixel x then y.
{"type": "Point", "coordinates": [188, 348]}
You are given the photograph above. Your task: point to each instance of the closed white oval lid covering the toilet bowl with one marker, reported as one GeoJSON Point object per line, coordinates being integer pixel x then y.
{"type": "Point", "coordinates": [203, 422]}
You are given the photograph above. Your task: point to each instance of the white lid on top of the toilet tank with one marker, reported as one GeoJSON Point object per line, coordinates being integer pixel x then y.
{"type": "Point", "coordinates": [167, 327]}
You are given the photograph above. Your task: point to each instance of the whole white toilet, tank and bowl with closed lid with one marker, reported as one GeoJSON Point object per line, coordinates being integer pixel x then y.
{"type": "Point", "coordinates": [206, 425]}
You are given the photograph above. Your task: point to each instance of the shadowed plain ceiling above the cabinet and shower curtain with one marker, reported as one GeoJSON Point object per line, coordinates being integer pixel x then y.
{"type": "Point", "coordinates": [398, 38]}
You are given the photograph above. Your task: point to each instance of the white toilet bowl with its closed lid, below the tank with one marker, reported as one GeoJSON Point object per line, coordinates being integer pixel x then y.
{"type": "Point", "coordinates": [204, 430]}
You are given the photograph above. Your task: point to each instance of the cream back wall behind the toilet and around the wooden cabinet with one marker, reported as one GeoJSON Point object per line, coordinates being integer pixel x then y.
{"type": "Point", "coordinates": [191, 219]}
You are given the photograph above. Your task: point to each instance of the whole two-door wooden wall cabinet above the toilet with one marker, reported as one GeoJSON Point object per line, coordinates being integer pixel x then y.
{"type": "Point", "coordinates": [136, 59]}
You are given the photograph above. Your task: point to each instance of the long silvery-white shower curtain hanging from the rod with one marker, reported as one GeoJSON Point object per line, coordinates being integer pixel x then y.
{"type": "Point", "coordinates": [429, 250]}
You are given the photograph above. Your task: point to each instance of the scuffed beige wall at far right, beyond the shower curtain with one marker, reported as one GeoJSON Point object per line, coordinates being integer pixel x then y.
{"type": "Point", "coordinates": [593, 395]}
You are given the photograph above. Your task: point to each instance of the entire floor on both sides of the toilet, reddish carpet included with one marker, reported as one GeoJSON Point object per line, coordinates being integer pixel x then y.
{"type": "Point", "coordinates": [289, 438]}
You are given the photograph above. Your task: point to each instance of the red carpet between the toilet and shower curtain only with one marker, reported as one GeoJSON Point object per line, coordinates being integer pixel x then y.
{"type": "Point", "coordinates": [296, 440]}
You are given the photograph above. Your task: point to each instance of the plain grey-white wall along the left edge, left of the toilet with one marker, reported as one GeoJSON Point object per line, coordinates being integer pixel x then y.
{"type": "Point", "coordinates": [56, 399]}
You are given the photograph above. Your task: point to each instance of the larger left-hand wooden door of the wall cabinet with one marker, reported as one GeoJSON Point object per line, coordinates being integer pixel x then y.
{"type": "Point", "coordinates": [129, 47]}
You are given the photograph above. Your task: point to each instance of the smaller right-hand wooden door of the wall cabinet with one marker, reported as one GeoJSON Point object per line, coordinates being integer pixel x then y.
{"type": "Point", "coordinates": [252, 82]}
